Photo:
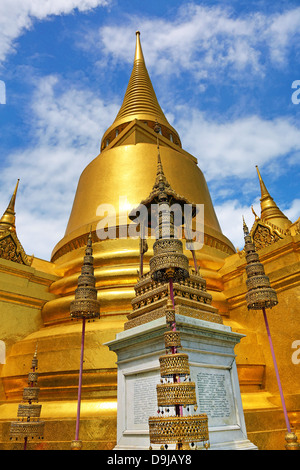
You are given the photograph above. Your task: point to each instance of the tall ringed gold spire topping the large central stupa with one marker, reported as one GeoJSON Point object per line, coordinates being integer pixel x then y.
{"type": "Point", "coordinates": [140, 101]}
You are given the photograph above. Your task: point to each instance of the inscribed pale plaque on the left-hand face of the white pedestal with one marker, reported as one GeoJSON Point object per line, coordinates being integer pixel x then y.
{"type": "Point", "coordinates": [141, 399]}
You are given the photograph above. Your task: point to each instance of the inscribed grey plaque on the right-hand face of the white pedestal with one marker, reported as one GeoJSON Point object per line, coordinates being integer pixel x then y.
{"type": "Point", "coordinates": [215, 396]}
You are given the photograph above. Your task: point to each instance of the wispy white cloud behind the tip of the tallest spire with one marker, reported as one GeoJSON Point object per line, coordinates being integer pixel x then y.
{"type": "Point", "coordinates": [204, 40]}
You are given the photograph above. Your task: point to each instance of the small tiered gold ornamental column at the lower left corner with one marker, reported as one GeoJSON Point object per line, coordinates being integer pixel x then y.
{"type": "Point", "coordinates": [28, 425]}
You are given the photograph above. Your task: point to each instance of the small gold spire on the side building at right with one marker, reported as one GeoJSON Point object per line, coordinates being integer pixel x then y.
{"type": "Point", "coordinates": [269, 209]}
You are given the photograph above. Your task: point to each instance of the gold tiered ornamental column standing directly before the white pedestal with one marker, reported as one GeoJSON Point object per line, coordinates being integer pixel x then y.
{"type": "Point", "coordinates": [175, 394]}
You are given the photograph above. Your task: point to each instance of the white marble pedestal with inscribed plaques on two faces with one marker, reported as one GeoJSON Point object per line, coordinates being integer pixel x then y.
{"type": "Point", "coordinates": [210, 347]}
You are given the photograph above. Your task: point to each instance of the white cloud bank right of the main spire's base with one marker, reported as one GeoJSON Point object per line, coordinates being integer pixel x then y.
{"type": "Point", "coordinates": [239, 144]}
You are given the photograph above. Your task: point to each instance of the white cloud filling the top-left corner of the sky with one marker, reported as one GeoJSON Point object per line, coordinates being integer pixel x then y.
{"type": "Point", "coordinates": [16, 16]}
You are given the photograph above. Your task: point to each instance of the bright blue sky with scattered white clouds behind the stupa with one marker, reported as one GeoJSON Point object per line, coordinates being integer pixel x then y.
{"type": "Point", "coordinates": [223, 74]}
